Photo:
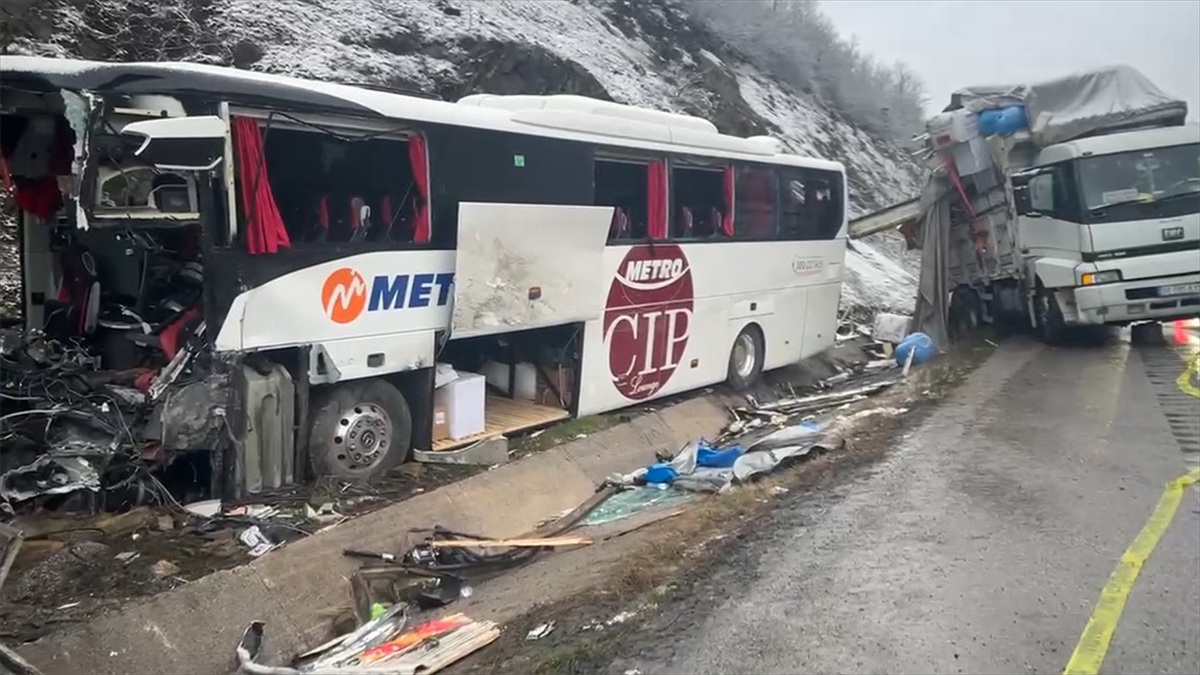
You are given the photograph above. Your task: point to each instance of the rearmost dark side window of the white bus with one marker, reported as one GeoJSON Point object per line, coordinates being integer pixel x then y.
{"type": "Point", "coordinates": [811, 205]}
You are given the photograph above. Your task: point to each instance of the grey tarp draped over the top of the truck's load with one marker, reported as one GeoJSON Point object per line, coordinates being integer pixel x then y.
{"type": "Point", "coordinates": [1078, 105]}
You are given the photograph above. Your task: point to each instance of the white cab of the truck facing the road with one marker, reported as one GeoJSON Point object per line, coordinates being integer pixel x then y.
{"type": "Point", "coordinates": [1109, 228]}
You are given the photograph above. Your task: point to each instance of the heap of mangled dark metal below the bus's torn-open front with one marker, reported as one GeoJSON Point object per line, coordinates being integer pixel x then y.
{"type": "Point", "coordinates": [94, 439]}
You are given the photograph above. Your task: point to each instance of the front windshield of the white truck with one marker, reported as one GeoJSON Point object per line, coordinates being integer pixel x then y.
{"type": "Point", "coordinates": [1142, 184]}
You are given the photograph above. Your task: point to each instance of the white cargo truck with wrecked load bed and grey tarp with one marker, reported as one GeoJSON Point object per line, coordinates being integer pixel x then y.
{"type": "Point", "coordinates": [1071, 202]}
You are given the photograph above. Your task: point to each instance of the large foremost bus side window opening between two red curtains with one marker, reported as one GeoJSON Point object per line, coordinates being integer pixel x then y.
{"type": "Point", "coordinates": [331, 189]}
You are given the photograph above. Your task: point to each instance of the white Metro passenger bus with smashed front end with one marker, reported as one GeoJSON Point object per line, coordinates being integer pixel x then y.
{"type": "Point", "coordinates": [332, 244]}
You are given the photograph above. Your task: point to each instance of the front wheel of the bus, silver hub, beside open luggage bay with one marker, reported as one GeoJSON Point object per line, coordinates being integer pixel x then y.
{"type": "Point", "coordinates": [361, 431]}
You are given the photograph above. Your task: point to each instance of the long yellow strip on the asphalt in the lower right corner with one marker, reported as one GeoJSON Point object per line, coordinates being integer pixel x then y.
{"type": "Point", "coordinates": [1094, 644]}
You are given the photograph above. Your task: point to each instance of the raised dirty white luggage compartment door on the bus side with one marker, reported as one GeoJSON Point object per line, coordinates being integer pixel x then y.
{"type": "Point", "coordinates": [527, 266]}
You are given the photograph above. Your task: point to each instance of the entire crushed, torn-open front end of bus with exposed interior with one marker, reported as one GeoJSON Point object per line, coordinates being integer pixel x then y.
{"type": "Point", "coordinates": [101, 395]}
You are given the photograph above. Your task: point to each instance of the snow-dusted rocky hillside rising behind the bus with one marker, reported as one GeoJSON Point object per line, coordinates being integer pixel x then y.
{"type": "Point", "coordinates": [644, 52]}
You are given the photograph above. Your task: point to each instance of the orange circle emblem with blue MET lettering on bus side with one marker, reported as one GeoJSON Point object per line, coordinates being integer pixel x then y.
{"type": "Point", "coordinates": [345, 296]}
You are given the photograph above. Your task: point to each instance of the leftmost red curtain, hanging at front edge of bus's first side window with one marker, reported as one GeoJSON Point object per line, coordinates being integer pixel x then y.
{"type": "Point", "coordinates": [265, 225]}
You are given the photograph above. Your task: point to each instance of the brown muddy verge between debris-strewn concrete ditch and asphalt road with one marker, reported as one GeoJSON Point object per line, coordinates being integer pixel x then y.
{"type": "Point", "coordinates": [701, 557]}
